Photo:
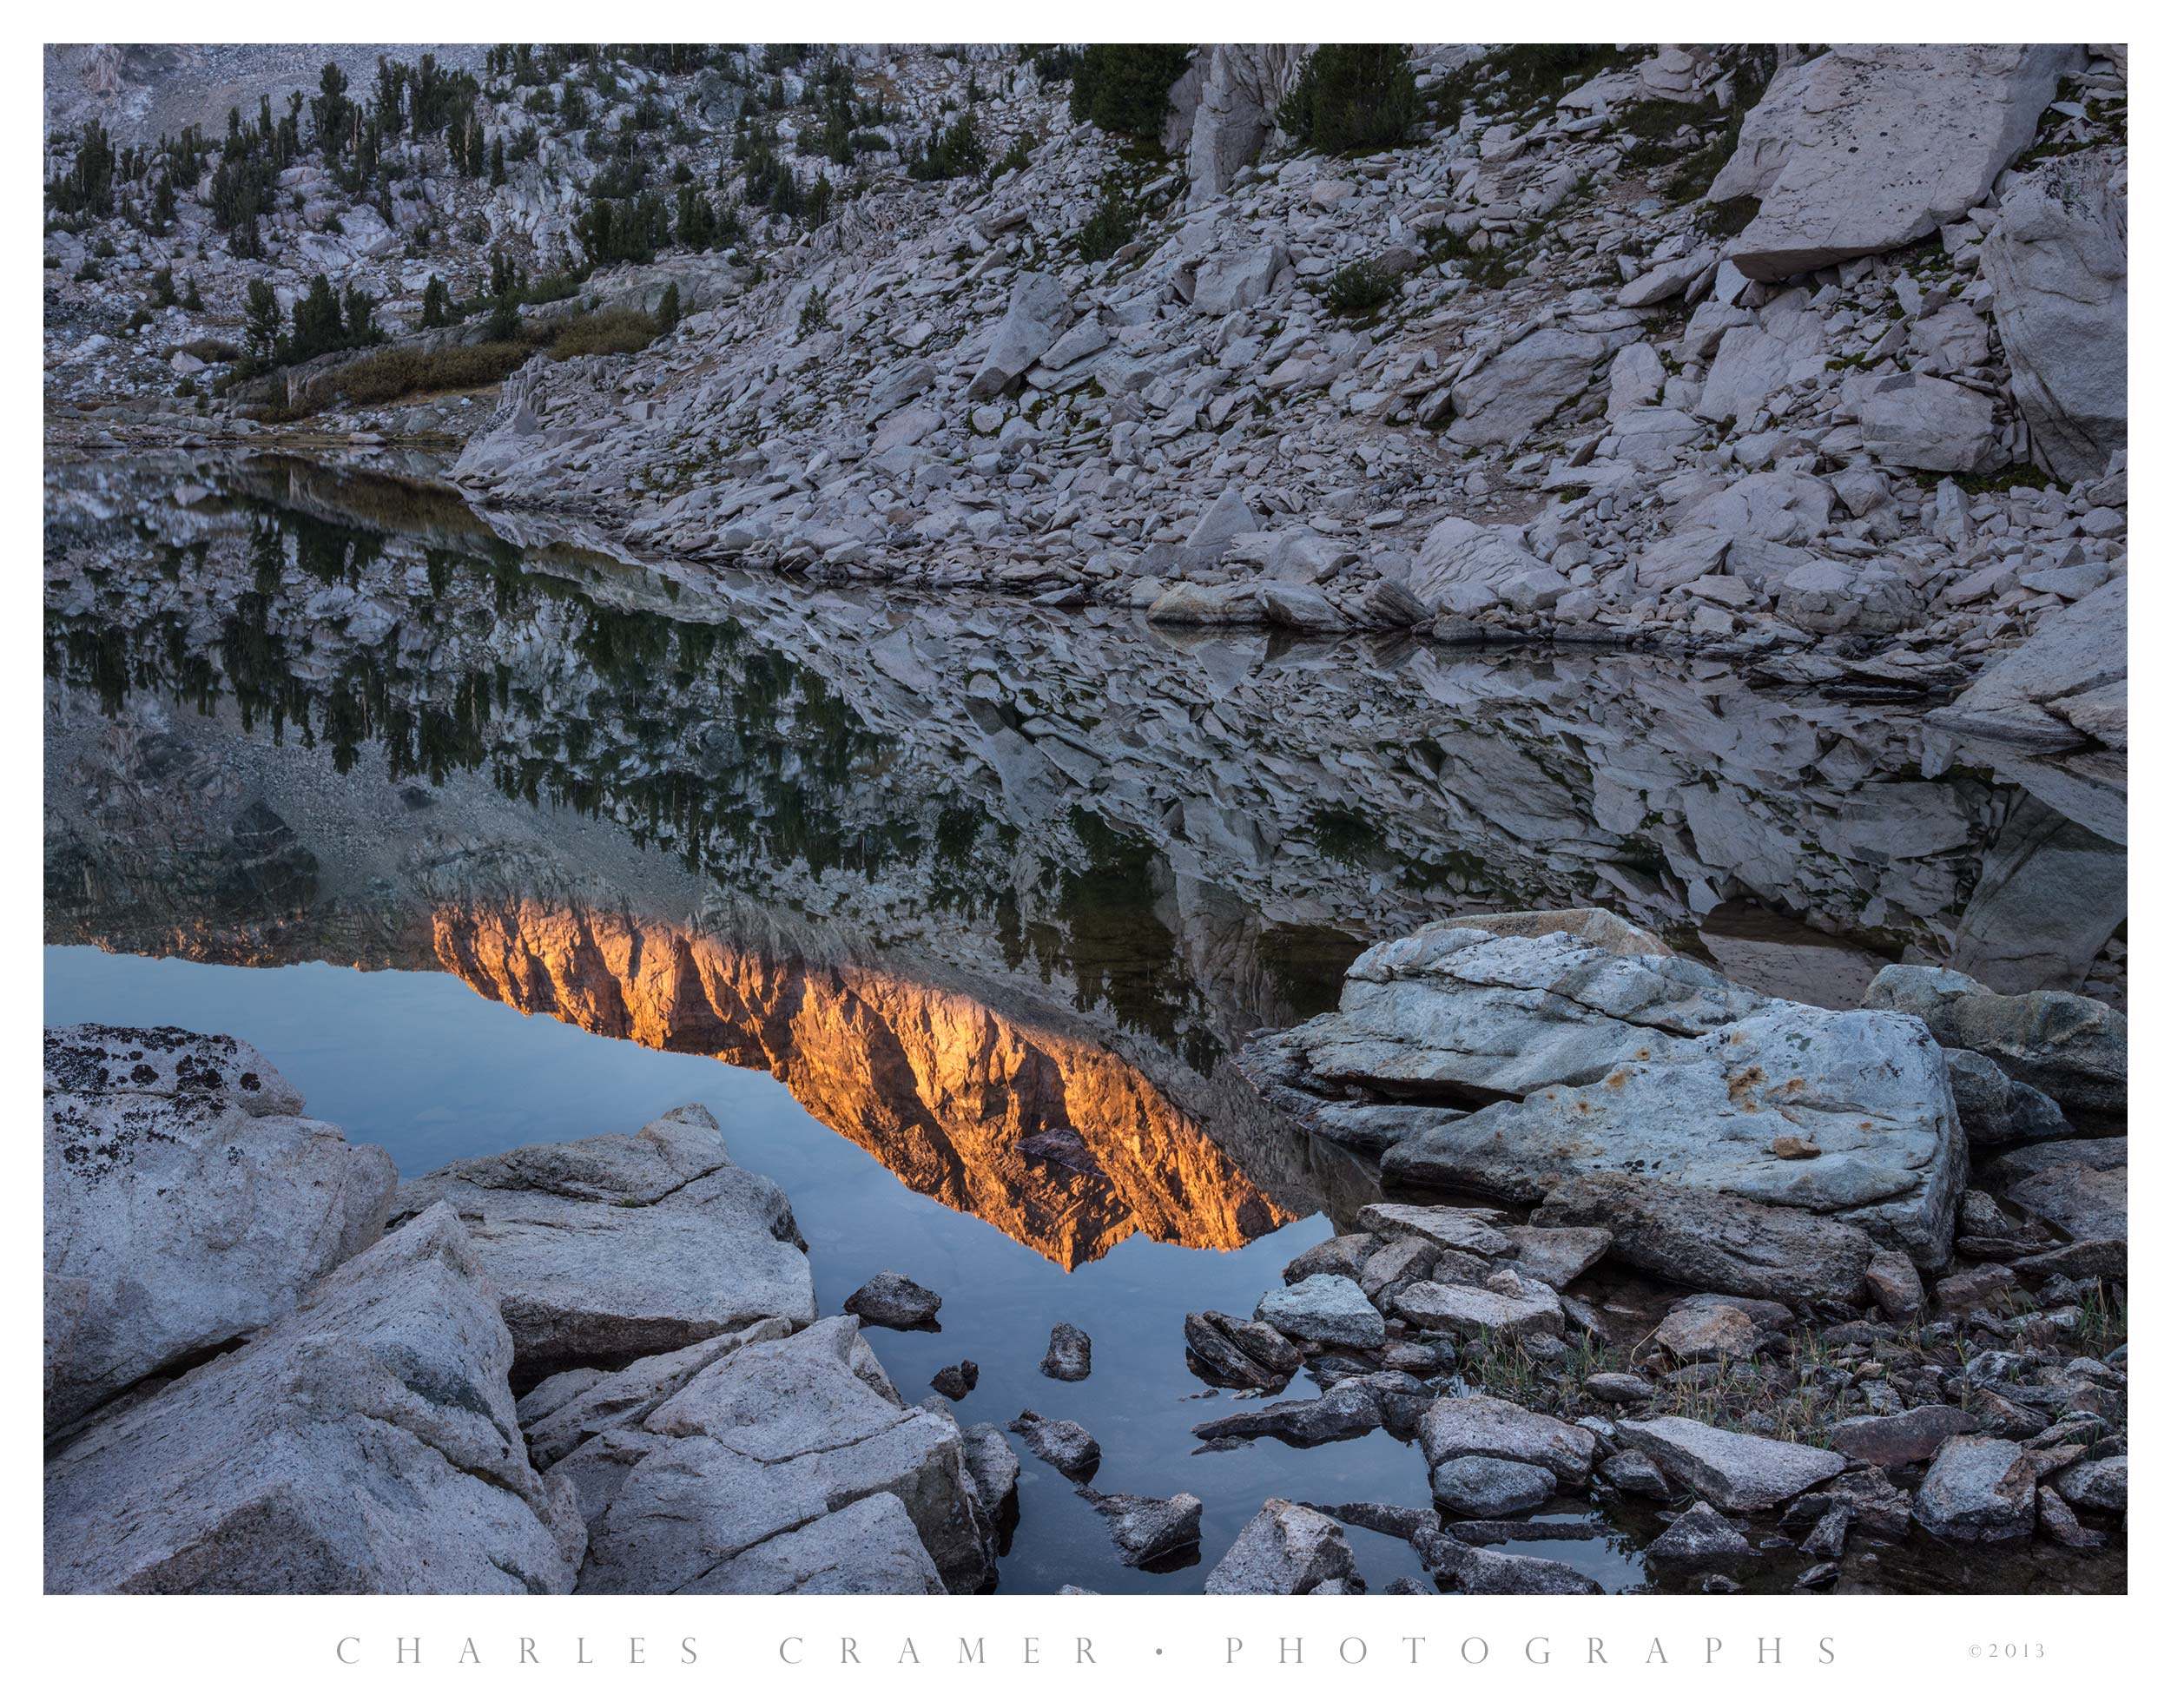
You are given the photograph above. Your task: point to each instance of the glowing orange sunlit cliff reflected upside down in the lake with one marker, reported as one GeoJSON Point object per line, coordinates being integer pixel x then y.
{"type": "Point", "coordinates": [1054, 1140]}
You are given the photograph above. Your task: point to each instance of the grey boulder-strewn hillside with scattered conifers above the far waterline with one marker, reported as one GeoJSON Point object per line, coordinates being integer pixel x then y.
{"type": "Point", "coordinates": [1571, 342]}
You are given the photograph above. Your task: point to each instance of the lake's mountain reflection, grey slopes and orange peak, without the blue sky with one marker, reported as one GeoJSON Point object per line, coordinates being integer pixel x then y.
{"type": "Point", "coordinates": [991, 891]}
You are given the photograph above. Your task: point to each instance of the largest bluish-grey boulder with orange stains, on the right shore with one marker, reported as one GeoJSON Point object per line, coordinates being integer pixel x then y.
{"type": "Point", "coordinates": [1523, 1051]}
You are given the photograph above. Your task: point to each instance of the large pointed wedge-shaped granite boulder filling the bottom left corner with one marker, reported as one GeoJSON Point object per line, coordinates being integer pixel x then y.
{"type": "Point", "coordinates": [359, 1446]}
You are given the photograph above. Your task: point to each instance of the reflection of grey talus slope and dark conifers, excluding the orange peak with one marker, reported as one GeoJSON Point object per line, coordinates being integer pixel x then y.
{"type": "Point", "coordinates": [917, 767]}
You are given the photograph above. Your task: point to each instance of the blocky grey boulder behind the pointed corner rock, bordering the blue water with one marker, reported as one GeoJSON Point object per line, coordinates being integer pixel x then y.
{"type": "Point", "coordinates": [626, 1247]}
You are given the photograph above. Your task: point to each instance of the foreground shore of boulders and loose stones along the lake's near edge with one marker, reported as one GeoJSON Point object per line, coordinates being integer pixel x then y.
{"type": "Point", "coordinates": [600, 1366]}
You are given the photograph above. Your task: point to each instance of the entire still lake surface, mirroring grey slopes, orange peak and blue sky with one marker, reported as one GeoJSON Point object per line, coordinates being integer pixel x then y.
{"type": "Point", "coordinates": [954, 915]}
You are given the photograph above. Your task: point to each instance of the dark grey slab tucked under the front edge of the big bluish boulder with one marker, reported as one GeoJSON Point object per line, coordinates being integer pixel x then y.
{"type": "Point", "coordinates": [1716, 1240]}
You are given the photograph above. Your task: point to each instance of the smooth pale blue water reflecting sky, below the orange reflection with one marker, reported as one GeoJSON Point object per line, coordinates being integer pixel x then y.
{"type": "Point", "coordinates": [431, 1071]}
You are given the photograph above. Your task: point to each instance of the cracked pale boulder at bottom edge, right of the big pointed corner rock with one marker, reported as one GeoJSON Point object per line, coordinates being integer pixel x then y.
{"type": "Point", "coordinates": [759, 1444]}
